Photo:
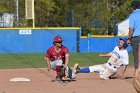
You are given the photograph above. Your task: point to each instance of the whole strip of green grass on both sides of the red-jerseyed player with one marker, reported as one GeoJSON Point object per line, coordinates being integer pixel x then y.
{"type": "Point", "coordinates": [11, 60]}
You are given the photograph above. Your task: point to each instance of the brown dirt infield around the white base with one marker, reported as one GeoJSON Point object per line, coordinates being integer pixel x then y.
{"type": "Point", "coordinates": [41, 82]}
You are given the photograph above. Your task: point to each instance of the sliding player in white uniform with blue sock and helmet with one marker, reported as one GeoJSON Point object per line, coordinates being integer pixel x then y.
{"type": "Point", "coordinates": [118, 57]}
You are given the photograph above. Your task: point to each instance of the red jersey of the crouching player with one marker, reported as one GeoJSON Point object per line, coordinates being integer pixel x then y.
{"type": "Point", "coordinates": [53, 55]}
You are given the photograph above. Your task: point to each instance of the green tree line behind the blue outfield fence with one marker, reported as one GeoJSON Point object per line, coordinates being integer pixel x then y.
{"type": "Point", "coordinates": [93, 16]}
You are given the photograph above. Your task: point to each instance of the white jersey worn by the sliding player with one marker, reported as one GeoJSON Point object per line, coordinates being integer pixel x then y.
{"type": "Point", "coordinates": [119, 57]}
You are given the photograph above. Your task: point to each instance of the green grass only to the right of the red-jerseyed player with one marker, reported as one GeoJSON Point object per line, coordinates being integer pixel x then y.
{"type": "Point", "coordinates": [87, 59]}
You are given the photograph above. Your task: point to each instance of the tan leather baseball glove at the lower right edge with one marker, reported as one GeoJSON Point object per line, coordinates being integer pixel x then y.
{"type": "Point", "coordinates": [136, 81]}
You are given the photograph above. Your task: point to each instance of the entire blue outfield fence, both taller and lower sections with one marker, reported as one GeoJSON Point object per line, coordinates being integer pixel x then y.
{"type": "Point", "coordinates": [39, 40]}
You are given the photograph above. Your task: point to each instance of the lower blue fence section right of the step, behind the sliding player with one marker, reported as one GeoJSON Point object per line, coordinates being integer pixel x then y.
{"type": "Point", "coordinates": [100, 44]}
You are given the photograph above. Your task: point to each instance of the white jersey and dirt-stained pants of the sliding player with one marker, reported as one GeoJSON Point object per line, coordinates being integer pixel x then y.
{"type": "Point", "coordinates": [117, 59]}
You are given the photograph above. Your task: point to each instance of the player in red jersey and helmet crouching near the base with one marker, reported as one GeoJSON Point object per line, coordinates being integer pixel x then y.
{"type": "Point", "coordinates": [57, 58]}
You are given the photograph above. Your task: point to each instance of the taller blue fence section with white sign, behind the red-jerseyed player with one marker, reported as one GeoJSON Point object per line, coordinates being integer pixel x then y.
{"type": "Point", "coordinates": [37, 40]}
